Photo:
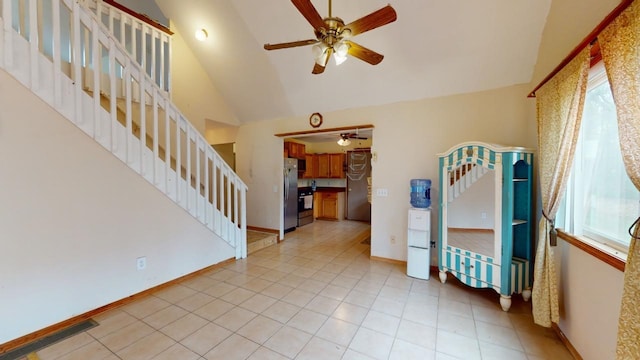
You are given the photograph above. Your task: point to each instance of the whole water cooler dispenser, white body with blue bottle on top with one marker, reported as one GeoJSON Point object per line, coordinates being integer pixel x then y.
{"type": "Point", "coordinates": [419, 230]}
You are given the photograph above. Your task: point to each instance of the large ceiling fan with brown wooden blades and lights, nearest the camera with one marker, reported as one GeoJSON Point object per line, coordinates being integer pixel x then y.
{"type": "Point", "coordinates": [333, 36]}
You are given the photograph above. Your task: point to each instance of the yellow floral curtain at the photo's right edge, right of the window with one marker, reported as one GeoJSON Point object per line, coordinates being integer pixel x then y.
{"type": "Point", "coordinates": [620, 48]}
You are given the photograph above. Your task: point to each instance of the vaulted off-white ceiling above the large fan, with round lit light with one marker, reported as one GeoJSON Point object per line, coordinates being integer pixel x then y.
{"type": "Point", "coordinates": [435, 48]}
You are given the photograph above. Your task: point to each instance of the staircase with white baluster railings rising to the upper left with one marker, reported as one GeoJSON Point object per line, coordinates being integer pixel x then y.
{"type": "Point", "coordinates": [107, 72]}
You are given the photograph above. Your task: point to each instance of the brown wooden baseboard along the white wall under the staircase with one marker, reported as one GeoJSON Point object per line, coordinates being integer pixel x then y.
{"type": "Point", "coordinates": [36, 335]}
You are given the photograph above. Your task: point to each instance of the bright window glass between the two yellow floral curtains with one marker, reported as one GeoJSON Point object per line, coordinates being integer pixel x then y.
{"type": "Point", "coordinates": [601, 202]}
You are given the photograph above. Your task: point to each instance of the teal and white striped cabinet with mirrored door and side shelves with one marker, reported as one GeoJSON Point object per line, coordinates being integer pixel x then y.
{"type": "Point", "coordinates": [485, 217]}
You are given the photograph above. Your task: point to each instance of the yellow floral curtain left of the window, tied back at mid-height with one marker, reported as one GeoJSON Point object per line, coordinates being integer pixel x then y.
{"type": "Point", "coordinates": [559, 106]}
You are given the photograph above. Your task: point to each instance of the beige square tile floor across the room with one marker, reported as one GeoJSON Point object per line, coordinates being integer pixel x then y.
{"type": "Point", "coordinates": [317, 295]}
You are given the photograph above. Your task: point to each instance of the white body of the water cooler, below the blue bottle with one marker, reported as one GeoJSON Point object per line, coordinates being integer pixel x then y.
{"type": "Point", "coordinates": [418, 243]}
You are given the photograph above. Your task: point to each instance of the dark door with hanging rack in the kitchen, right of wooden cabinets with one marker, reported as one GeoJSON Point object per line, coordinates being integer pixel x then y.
{"type": "Point", "coordinates": [358, 170]}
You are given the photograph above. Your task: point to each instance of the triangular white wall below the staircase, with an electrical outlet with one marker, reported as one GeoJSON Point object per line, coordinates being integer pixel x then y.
{"type": "Point", "coordinates": [73, 220]}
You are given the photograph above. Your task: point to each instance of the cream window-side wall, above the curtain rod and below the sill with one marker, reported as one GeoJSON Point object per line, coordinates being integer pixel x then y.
{"type": "Point", "coordinates": [590, 289]}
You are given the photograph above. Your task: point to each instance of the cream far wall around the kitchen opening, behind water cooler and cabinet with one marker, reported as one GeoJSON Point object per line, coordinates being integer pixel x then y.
{"type": "Point", "coordinates": [407, 137]}
